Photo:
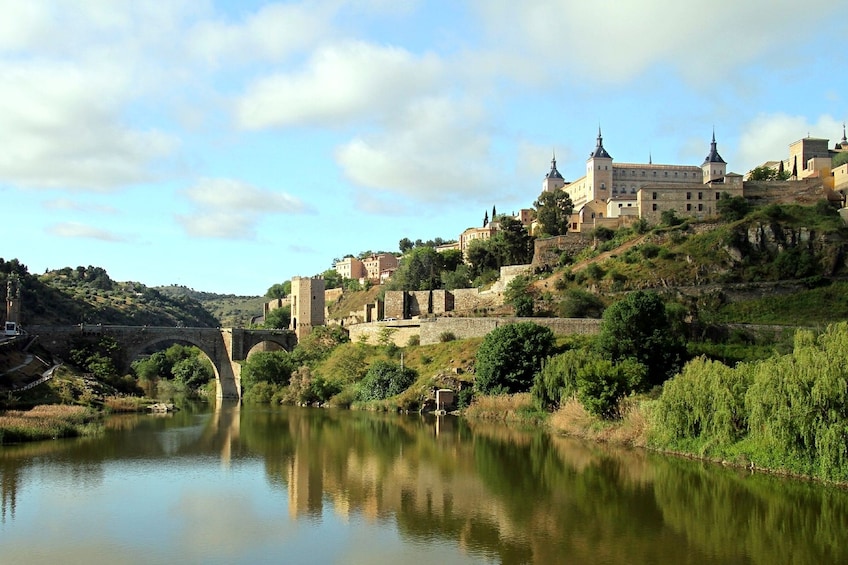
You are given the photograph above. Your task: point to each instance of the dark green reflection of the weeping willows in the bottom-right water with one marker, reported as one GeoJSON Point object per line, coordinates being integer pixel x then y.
{"type": "Point", "coordinates": [733, 514]}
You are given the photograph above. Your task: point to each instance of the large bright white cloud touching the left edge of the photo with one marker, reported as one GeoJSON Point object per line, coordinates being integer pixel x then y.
{"type": "Point", "coordinates": [61, 128]}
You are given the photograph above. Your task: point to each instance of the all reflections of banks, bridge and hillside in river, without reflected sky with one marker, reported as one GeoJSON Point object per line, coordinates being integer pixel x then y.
{"type": "Point", "coordinates": [490, 492]}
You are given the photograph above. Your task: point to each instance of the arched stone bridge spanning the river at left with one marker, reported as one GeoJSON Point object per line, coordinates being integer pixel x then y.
{"type": "Point", "coordinates": [223, 346]}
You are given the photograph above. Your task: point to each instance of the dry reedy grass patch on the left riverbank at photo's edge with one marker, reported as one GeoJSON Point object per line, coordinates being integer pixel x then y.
{"type": "Point", "coordinates": [46, 422]}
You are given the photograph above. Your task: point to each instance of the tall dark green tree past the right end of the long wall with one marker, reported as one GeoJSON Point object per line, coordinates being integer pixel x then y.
{"type": "Point", "coordinates": [638, 327]}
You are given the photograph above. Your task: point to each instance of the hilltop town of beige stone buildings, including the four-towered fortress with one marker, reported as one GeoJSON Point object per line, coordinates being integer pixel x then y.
{"type": "Point", "coordinates": [610, 196]}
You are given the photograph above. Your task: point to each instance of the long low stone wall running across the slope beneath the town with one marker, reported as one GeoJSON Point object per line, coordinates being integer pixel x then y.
{"type": "Point", "coordinates": [430, 330]}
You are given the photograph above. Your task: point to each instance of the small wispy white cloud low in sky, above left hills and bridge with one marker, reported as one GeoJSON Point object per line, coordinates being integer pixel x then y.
{"type": "Point", "coordinates": [231, 209]}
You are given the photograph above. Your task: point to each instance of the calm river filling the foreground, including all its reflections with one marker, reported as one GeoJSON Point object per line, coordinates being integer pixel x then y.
{"type": "Point", "coordinates": [296, 485]}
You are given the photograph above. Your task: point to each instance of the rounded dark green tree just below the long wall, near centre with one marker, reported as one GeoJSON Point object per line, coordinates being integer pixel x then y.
{"type": "Point", "coordinates": [510, 356]}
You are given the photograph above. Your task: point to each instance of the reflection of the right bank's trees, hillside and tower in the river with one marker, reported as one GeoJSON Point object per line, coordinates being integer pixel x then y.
{"type": "Point", "coordinates": [516, 496]}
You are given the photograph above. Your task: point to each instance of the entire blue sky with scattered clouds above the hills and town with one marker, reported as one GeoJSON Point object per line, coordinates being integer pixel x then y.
{"type": "Point", "coordinates": [230, 145]}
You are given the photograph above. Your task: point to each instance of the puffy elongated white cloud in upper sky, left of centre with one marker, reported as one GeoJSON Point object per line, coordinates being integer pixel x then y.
{"type": "Point", "coordinates": [341, 83]}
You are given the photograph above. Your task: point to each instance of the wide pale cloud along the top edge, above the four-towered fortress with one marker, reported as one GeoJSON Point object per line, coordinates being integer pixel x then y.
{"type": "Point", "coordinates": [612, 42]}
